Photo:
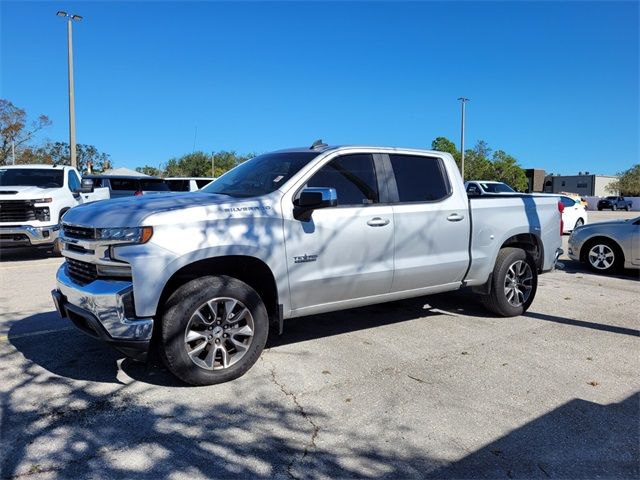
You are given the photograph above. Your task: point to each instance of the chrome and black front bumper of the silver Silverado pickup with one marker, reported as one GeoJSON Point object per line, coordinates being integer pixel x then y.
{"type": "Point", "coordinates": [104, 310]}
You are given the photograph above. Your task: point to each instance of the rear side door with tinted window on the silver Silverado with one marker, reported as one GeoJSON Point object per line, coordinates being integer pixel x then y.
{"type": "Point", "coordinates": [431, 224]}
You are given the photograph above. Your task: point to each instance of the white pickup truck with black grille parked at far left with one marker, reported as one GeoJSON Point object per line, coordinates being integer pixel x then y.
{"type": "Point", "coordinates": [33, 199]}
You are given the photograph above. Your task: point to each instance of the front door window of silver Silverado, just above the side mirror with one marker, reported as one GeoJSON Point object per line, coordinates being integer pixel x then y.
{"type": "Point", "coordinates": [353, 177]}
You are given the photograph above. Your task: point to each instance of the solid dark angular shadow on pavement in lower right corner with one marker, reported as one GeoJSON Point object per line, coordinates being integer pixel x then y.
{"type": "Point", "coordinates": [579, 439]}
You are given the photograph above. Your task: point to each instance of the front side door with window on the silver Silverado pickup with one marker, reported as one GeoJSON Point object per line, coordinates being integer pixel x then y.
{"type": "Point", "coordinates": [343, 252]}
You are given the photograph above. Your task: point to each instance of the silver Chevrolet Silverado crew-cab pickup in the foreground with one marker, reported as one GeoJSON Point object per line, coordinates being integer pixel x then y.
{"type": "Point", "coordinates": [202, 276]}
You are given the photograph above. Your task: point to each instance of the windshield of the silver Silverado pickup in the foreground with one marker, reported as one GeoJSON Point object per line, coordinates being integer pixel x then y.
{"type": "Point", "coordinates": [260, 175]}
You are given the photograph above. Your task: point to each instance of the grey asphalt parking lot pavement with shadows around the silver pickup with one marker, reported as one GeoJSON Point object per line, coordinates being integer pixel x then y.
{"type": "Point", "coordinates": [432, 387]}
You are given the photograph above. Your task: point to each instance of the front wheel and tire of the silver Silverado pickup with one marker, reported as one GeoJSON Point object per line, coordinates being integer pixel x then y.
{"type": "Point", "coordinates": [220, 349]}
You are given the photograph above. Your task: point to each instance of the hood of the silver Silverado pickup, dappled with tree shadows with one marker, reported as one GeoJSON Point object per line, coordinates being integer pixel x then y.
{"type": "Point", "coordinates": [132, 211]}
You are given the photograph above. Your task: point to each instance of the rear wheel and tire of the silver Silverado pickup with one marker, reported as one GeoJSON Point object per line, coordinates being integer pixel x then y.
{"type": "Point", "coordinates": [509, 298]}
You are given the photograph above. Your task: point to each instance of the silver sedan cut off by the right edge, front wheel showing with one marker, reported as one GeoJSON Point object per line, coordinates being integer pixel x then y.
{"type": "Point", "coordinates": [607, 246]}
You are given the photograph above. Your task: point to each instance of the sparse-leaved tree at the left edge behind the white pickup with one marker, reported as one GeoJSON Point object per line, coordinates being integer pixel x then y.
{"type": "Point", "coordinates": [14, 131]}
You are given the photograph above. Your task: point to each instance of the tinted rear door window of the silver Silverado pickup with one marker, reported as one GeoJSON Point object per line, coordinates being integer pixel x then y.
{"type": "Point", "coordinates": [419, 179]}
